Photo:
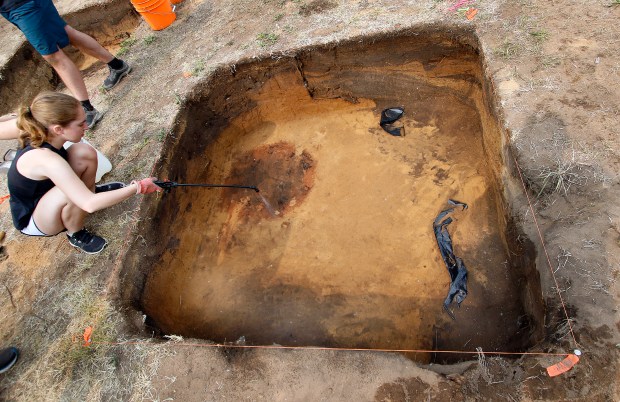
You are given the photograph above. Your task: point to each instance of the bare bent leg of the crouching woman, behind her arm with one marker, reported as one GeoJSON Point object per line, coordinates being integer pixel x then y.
{"type": "Point", "coordinates": [55, 211]}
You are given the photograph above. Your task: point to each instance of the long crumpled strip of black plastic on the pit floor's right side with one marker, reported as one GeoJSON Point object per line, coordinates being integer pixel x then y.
{"type": "Point", "coordinates": [456, 267]}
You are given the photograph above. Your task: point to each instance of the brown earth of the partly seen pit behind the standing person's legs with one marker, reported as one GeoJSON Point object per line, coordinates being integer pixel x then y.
{"type": "Point", "coordinates": [26, 74]}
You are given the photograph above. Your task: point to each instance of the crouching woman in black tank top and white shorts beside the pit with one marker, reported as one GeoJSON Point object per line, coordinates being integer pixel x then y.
{"type": "Point", "coordinates": [53, 189]}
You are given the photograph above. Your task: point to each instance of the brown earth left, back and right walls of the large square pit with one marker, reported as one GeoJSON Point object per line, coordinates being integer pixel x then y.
{"type": "Point", "coordinates": [350, 71]}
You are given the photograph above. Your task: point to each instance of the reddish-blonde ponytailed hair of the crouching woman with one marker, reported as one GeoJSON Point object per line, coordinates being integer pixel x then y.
{"type": "Point", "coordinates": [47, 108]}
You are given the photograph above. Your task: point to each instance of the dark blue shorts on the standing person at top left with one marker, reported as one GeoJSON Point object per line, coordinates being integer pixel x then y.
{"type": "Point", "coordinates": [41, 24]}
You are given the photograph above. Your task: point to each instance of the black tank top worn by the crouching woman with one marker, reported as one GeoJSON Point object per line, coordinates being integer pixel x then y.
{"type": "Point", "coordinates": [25, 192]}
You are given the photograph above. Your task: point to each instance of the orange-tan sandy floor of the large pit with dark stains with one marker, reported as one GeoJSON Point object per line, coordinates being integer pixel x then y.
{"type": "Point", "coordinates": [350, 258]}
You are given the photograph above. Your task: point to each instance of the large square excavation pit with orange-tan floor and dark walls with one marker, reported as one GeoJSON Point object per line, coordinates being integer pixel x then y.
{"type": "Point", "coordinates": [347, 257]}
